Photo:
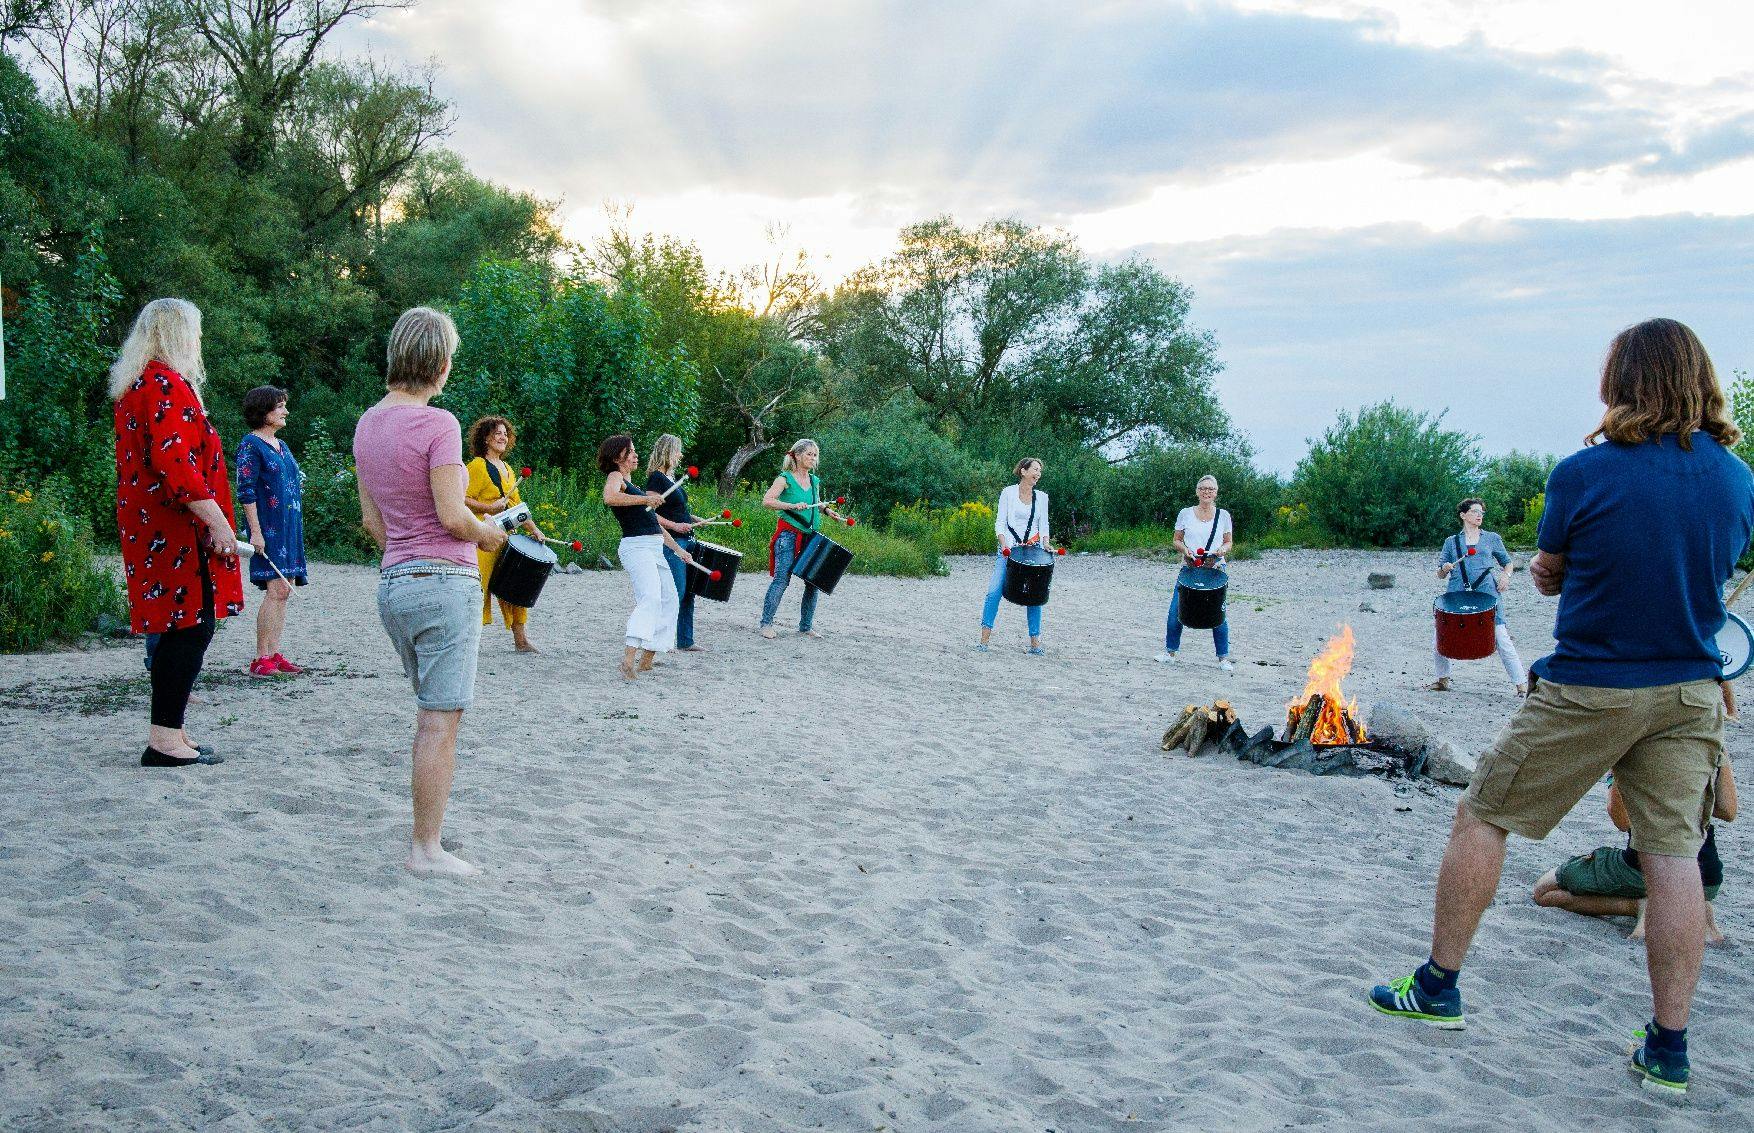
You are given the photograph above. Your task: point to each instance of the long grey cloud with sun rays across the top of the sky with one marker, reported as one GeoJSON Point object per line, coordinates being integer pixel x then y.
{"type": "Point", "coordinates": [1011, 106]}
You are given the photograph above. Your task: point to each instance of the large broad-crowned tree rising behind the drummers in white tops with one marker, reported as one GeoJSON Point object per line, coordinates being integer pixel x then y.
{"type": "Point", "coordinates": [980, 322]}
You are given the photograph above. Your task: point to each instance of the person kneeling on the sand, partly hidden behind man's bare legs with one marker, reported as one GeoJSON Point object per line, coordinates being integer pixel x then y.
{"type": "Point", "coordinates": [1608, 883]}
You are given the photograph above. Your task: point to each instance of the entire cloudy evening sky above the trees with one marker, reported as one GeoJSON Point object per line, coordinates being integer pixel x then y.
{"type": "Point", "coordinates": [1450, 203]}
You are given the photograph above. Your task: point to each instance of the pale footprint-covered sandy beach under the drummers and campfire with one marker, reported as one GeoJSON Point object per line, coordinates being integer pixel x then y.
{"type": "Point", "coordinates": [874, 883]}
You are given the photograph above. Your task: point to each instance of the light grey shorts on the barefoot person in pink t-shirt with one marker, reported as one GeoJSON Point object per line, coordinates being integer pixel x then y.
{"type": "Point", "coordinates": [434, 622]}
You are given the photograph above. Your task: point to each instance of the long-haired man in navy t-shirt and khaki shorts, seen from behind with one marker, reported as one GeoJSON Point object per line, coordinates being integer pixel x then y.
{"type": "Point", "coordinates": [1637, 539]}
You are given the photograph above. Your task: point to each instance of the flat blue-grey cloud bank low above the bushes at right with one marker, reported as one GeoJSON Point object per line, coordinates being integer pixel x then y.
{"type": "Point", "coordinates": [1502, 324]}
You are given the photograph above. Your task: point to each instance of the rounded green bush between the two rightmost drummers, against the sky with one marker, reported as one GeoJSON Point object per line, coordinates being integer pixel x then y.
{"type": "Point", "coordinates": [1388, 478]}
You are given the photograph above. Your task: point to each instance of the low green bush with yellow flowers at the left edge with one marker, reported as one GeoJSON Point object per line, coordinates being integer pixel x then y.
{"type": "Point", "coordinates": [50, 587]}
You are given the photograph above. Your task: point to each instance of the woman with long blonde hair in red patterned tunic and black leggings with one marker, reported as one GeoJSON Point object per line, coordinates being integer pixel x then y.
{"type": "Point", "coordinates": [173, 513]}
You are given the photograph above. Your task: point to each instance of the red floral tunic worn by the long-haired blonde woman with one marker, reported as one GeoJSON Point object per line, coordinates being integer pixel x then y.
{"type": "Point", "coordinates": [168, 457]}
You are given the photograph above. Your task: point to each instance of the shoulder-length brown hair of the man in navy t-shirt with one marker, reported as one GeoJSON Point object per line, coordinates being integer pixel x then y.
{"type": "Point", "coordinates": [1658, 380]}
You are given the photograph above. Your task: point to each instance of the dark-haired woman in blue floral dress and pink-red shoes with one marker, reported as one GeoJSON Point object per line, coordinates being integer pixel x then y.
{"type": "Point", "coordinates": [271, 490]}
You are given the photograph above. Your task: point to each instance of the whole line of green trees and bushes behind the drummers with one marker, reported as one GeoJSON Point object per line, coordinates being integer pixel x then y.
{"type": "Point", "coordinates": [213, 150]}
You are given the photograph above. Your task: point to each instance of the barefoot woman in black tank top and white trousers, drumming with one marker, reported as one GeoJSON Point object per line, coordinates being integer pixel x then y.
{"type": "Point", "coordinates": [652, 625]}
